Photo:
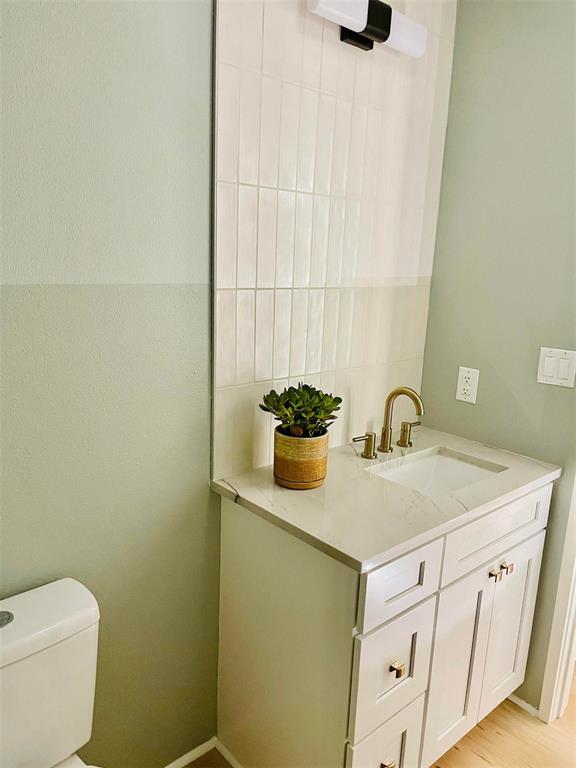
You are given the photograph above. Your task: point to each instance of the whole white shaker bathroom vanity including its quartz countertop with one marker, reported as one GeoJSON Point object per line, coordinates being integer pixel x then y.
{"type": "Point", "coordinates": [372, 622]}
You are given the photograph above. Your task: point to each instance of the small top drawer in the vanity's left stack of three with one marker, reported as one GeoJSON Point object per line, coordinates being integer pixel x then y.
{"type": "Point", "coordinates": [396, 586]}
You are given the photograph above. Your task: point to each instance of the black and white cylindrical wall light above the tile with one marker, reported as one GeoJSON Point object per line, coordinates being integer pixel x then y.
{"type": "Point", "coordinates": [365, 22]}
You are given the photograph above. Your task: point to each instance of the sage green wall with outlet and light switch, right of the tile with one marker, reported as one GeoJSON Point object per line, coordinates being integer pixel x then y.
{"type": "Point", "coordinates": [504, 279]}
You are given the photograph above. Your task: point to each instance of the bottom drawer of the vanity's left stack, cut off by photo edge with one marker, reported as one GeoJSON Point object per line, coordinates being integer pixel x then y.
{"type": "Point", "coordinates": [396, 744]}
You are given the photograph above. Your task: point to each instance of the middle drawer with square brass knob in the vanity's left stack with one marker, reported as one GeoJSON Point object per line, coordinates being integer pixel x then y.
{"type": "Point", "coordinates": [390, 669]}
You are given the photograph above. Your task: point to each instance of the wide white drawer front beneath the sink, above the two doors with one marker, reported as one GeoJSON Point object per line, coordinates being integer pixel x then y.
{"type": "Point", "coordinates": [487, 537]}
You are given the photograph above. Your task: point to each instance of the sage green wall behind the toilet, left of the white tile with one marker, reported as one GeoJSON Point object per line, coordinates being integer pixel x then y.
{"type": "Point", "coordinates": [105, 350]}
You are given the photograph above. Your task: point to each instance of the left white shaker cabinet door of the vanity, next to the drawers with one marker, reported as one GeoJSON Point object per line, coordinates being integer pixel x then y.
{"type": "Point", "coordinates": [461, 640]}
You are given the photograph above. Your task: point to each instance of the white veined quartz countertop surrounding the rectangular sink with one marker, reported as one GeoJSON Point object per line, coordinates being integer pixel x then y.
{"type": "Point", "coordinates": [364, 520]}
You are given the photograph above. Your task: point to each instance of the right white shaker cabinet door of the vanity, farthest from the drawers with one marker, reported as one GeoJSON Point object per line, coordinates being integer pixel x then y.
{"type": "Point", "coordinates": [512, 614]}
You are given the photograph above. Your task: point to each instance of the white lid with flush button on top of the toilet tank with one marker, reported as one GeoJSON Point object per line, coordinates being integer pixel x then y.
{"type": "Point", "coordinates": [44, 616]}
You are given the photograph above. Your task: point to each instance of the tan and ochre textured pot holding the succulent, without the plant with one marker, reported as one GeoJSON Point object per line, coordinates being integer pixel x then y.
{"type": "Point", "coordinates": [300, 462]}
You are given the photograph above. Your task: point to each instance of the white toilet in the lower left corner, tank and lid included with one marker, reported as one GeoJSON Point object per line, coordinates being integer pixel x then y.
{"type": "Point", "coordinates": [48, 647]}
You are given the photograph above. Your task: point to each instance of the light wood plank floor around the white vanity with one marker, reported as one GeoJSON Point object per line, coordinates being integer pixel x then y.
{"type": "Point", "coordinates": [508, 738]}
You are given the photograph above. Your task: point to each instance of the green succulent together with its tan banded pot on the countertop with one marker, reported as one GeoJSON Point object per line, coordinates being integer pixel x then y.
{"type": "Point", "coordinates": [301, 439]}
